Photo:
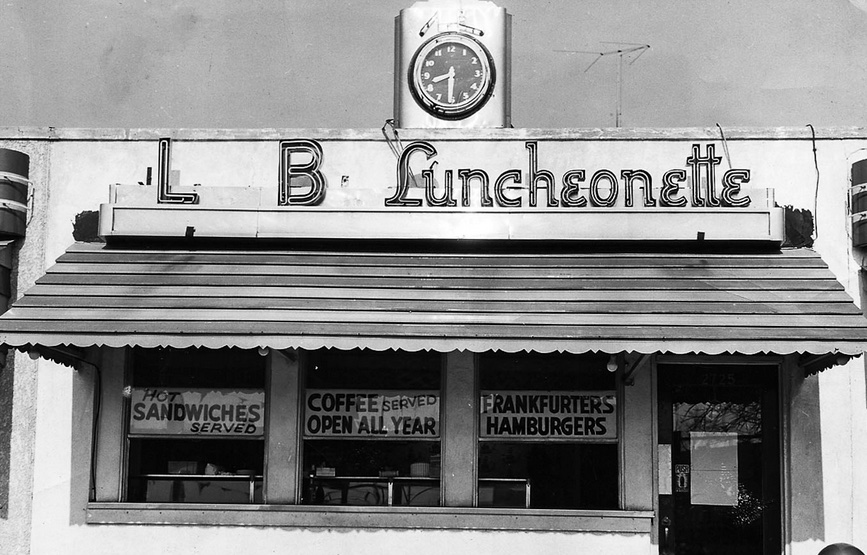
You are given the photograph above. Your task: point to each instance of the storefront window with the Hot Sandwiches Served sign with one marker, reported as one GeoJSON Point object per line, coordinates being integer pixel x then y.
{"type": "Point", "coordinates": [196, 426]}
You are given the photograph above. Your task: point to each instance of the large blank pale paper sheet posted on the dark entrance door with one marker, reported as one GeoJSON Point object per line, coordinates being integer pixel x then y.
{"type": "Point", "coordinates": [714, 458]}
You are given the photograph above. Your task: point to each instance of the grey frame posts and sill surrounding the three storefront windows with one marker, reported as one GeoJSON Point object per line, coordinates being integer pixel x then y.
{"type": "Point", "coordinates": [283, 479]}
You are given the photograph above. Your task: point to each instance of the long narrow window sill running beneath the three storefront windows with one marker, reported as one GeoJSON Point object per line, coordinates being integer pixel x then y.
{"type": "Point", "coordinates": [439, 518]}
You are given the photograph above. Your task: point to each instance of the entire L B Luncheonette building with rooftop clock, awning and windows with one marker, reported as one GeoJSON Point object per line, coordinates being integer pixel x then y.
{"type": "Point", "coordinates": [441, 334]}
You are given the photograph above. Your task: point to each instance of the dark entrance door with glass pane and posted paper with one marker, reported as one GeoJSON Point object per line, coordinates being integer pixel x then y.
{"type": "Point", "coordinates": [719, 460]}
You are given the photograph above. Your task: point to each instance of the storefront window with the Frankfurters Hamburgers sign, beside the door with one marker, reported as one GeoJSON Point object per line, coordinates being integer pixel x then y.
{"type": "Point", "coordinates": [547, 432]}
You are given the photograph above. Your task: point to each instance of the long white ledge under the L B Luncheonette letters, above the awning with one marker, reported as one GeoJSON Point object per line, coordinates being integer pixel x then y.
{"type": "Point", "coordinates": [735, 224]}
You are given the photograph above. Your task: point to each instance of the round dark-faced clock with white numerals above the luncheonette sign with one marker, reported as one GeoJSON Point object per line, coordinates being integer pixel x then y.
{"type": "Point", "coordinates": [452, 75]}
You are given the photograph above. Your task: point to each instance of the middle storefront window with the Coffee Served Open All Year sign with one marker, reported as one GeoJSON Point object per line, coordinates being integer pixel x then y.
{"type": "Point", "coordinates": [372, 428]}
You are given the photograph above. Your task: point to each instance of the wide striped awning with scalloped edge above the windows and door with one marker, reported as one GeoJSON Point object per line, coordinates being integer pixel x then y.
{"type": "Point", "coordinates": [784, 302]}
